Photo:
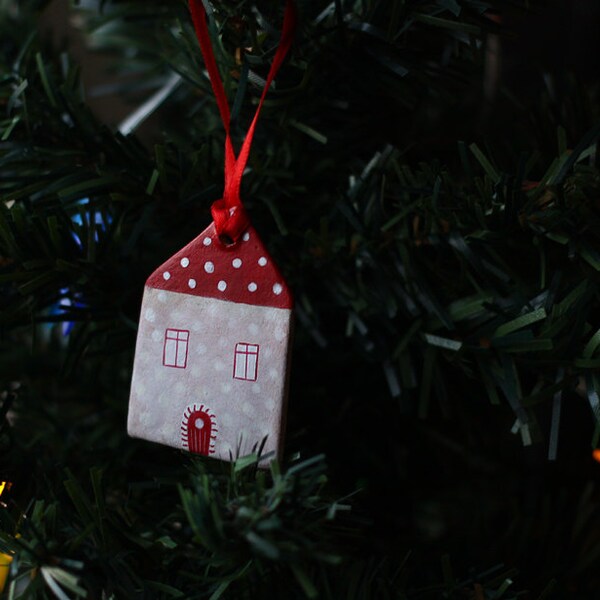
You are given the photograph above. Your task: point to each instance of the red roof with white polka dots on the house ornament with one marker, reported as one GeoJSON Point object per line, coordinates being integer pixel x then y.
{"type": "Point", "coordinates": [243, 272]}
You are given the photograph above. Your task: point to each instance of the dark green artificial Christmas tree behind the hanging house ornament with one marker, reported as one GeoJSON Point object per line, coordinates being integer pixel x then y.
{"type": "Point", "coordinates": [441, 240]}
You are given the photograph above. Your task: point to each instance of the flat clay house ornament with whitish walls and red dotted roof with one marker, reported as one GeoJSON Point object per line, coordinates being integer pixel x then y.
{"type": "Point", "coordinates": [212, 349]}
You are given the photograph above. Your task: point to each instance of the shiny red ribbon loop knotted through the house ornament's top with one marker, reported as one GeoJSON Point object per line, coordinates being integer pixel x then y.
{"type": "Point", "coordinates": [228, 213]}
